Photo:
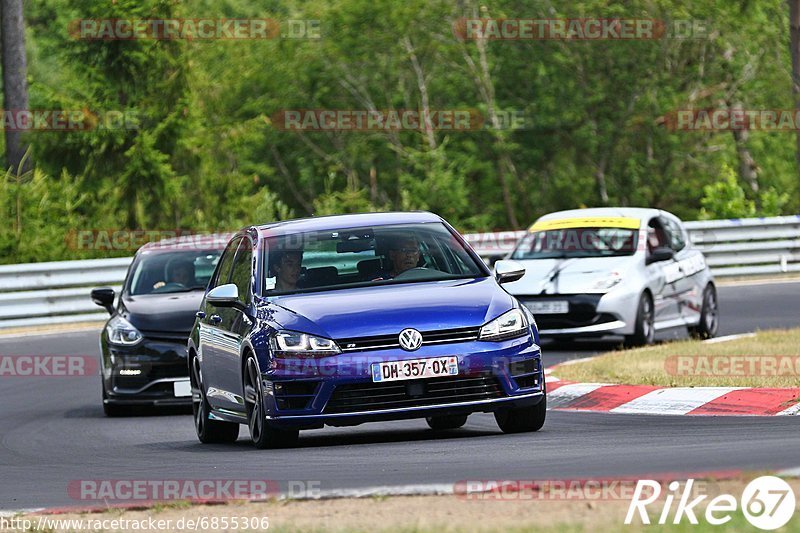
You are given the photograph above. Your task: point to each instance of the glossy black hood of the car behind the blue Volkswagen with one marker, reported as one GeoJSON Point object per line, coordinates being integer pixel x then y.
{"type": "Point", "coordinates": [162, 312]}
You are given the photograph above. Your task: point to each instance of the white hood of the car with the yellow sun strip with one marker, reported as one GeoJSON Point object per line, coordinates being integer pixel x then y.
{"type": "Point", "coordinates": [578, 275]}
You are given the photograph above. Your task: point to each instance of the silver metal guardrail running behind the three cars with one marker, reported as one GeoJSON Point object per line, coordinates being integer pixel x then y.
{"type": "Point", "coordinates": [58, 292]}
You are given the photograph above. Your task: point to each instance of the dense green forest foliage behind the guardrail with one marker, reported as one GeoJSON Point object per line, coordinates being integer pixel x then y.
{"type": "Point", "coordinates": [204, 149]}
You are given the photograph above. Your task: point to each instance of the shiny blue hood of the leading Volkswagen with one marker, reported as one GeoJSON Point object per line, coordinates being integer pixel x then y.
{"type": "Point", "coordinates": [388, 309]}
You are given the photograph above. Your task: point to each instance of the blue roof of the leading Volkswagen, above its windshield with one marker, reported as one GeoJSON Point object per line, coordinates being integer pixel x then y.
{"type": "Point", "coordinates": [335, 222]}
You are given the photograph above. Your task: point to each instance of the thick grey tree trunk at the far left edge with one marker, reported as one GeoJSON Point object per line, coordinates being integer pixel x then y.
{"type": "Point", "coordinates": [15, 85]}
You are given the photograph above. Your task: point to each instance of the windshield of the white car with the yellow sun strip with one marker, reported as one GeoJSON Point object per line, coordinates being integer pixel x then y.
{"type": "Point", "coordinates": [577, 242]}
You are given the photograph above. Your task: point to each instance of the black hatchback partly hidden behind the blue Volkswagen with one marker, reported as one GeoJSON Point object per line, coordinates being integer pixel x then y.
{"type": "Point", "coordinates": [143, 344]}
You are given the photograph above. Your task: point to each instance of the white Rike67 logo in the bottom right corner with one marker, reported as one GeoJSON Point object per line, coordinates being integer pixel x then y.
{"type": "Point", "coordinates": [767, 502]}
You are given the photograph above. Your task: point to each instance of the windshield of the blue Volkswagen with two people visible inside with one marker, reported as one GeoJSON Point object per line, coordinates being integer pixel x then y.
{"type": "Point", "coordinates": [358, 257]}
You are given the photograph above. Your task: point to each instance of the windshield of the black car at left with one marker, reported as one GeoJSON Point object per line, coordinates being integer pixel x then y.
{"type": "Point", "coordinates": [169, 272]}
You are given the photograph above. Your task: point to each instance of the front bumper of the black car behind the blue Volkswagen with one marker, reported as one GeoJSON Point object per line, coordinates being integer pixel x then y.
{"type": "Point", "coordinates": [153, 372]}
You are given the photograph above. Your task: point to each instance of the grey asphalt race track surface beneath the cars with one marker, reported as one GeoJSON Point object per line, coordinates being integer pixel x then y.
{"type": "Point", "coordinates": [52, 431]}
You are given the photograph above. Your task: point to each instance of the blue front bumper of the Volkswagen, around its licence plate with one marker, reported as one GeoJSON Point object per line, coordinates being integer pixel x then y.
{"type": "Point", "coordinates": [492, 376]}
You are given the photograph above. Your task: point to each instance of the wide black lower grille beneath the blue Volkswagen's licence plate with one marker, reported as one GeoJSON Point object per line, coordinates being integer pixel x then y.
{"type": "Point", "coordinates": [417, 393]}
